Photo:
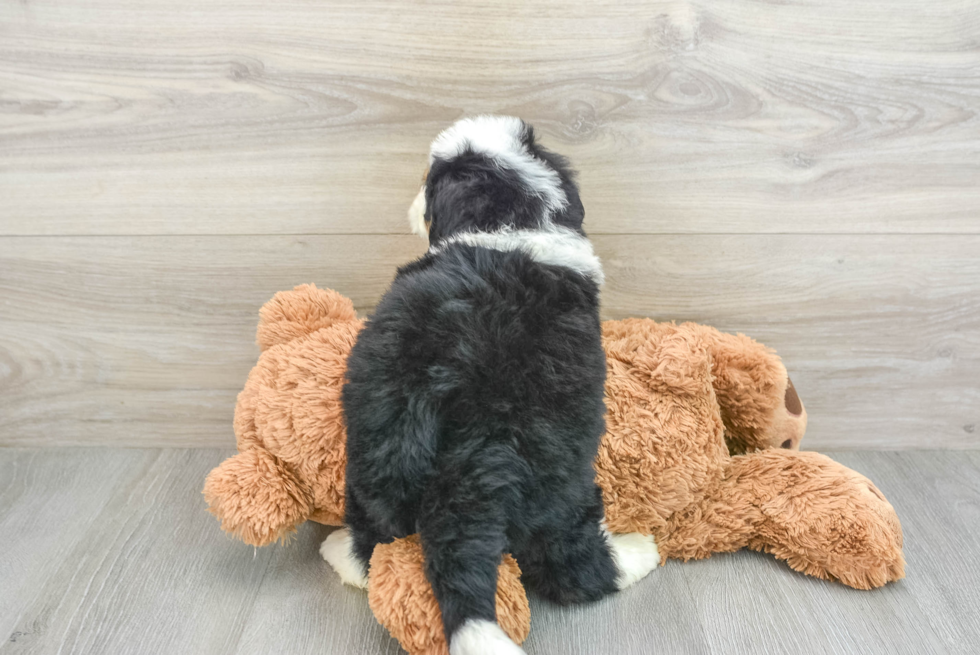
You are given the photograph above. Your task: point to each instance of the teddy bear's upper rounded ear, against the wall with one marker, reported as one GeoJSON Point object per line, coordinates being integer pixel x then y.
{"type": "Point", "coordinates": [301, 311]}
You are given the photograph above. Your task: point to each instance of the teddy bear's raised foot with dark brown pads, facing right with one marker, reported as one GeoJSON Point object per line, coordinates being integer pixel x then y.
{"type": "Point", "coordinates": [759, 405]}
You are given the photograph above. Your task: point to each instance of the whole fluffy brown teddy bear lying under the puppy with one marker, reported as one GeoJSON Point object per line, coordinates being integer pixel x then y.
{"type": "Point", "coordinates": [701, 451]}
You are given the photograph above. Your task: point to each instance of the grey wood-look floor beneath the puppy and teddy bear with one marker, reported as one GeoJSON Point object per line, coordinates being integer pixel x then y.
{"type": "Point", "coordinates": [111, 551]}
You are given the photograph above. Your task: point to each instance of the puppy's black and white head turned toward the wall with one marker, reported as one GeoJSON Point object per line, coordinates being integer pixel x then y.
{"type": "Point", "coordinates": [486, 174]}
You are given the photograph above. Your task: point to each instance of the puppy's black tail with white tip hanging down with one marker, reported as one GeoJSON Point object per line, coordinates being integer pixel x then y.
{"type": "Point", "coordinates": [463, 528]}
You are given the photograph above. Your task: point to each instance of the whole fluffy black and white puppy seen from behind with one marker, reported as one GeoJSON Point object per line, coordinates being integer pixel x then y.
{"type": "Point", "coordinates": [474, 394]}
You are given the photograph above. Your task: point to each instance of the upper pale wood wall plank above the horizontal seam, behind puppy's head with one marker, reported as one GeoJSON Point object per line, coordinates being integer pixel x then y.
{"type": "Point", "coordinates": [143, 117]}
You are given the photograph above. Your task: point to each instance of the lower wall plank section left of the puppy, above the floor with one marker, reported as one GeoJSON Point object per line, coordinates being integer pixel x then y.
{"type": "Point", "coordinates": [147, 341]}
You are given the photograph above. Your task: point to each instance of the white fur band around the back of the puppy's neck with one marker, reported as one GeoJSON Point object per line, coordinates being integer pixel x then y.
{"type": "Point", "coordinates": [555, 245]}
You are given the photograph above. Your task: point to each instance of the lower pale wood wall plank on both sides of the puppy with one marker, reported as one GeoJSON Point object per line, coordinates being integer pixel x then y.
{"type": "Point", "coordinates": [147, 340]}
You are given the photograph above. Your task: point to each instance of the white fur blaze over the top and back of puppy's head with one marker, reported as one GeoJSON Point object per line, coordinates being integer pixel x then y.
{"type": "Point", "coordinates": [500, 139]}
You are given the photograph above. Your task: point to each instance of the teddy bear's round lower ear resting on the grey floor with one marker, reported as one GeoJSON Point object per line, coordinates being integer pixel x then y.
{"type": "Point", "coordinates": [257, 498]}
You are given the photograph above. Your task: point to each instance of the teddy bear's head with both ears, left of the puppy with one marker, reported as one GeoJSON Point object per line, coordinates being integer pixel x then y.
{"type": "Point", "coordinates": [288, 421]}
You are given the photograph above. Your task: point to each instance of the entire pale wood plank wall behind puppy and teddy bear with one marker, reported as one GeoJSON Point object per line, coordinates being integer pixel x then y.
{"type": "Point", "coordinates": [807, 172]}
